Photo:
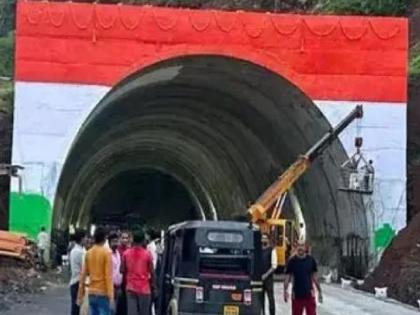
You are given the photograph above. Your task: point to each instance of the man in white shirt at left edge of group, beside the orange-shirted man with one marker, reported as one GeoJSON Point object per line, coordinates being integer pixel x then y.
{"type": "Point", "coordinates": [76, 259]}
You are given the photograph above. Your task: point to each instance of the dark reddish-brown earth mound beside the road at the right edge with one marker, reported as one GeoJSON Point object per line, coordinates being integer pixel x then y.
{"type": "Point", "coordinates": [399, 268]}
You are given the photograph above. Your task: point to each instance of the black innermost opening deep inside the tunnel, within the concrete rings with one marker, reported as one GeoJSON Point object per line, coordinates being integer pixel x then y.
{"type": "Point", "coordinates": [145, 197]}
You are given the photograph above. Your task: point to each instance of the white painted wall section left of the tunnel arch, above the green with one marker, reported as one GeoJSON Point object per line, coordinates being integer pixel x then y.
{"type": "Point", "coordinates": [47, 117]}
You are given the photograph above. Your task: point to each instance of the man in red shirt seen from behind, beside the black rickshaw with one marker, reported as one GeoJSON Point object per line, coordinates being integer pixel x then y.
{"type": "Point", "coordinates": [137, 266]}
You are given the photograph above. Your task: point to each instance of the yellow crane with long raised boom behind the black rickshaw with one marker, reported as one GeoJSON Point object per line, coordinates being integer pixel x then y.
{"type": "Point", "coordinates": [266, 211]}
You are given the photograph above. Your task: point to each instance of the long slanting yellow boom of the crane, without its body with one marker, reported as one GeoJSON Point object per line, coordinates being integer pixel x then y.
{"type": "Point", "coordinates": [258, 211]}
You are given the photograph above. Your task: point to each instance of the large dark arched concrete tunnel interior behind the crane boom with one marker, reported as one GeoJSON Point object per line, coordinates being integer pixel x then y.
{"type": "Point", "coordinates": [200, 137]}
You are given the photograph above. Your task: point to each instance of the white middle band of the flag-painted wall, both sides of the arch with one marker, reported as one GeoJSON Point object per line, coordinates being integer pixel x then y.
{"type": "Point", "coordinates": [49, 115]}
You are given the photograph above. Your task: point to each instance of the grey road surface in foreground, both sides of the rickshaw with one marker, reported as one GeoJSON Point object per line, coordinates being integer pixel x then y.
{"type": "Point", "coordinates": [337, 302]}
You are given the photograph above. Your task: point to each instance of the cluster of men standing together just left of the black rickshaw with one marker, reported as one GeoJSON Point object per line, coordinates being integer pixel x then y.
{"type": "Point", "coordinates": [114, 275]}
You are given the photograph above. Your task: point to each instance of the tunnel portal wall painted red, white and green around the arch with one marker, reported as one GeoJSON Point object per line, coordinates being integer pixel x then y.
{"type": "Point", "coordinates": [68, 56]}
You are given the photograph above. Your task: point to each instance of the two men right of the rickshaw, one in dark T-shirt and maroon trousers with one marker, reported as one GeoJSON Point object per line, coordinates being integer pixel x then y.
{"type": "Point", "coordinates": [301, 270]}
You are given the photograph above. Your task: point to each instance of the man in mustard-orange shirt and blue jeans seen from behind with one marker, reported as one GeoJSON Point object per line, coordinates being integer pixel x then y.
{"type": "Point", "coordinates": [98, 267]}
